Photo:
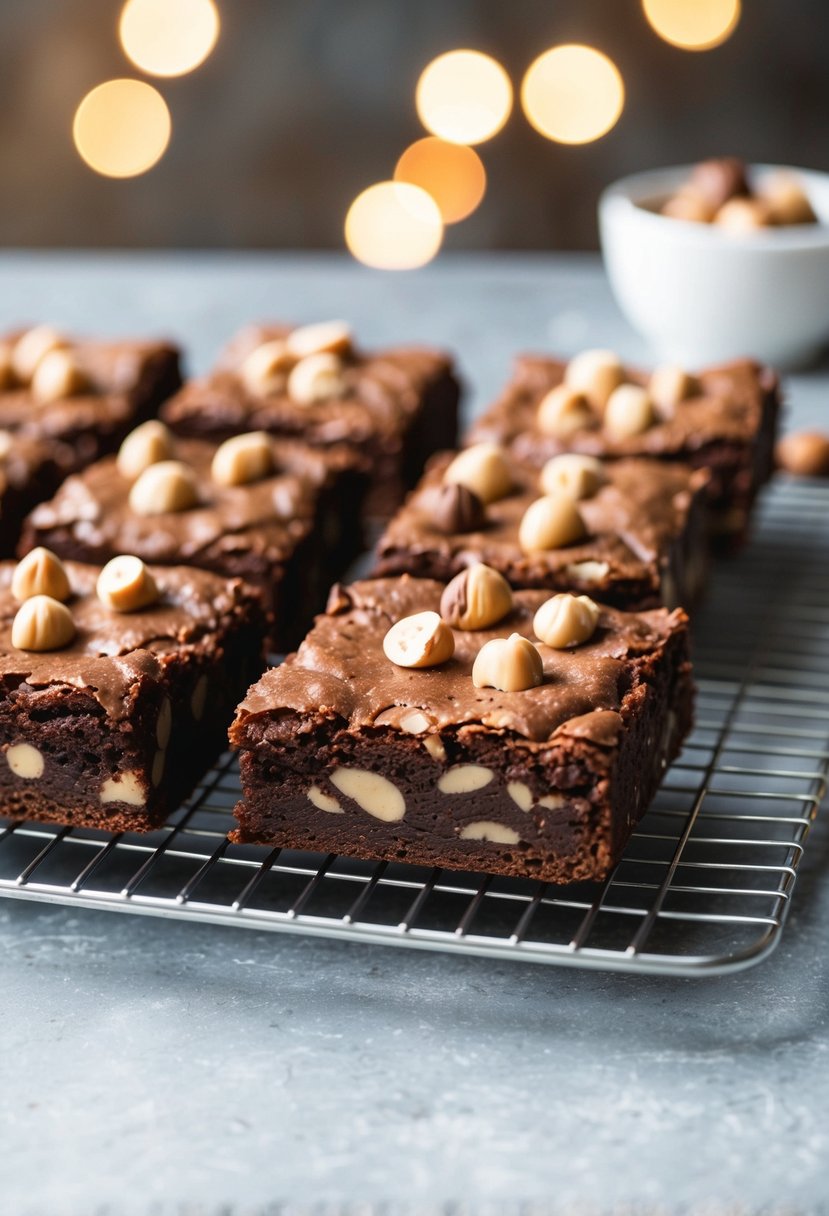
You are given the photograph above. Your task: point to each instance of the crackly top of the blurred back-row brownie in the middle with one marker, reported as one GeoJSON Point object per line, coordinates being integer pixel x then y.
{"type": "Point", "coordinates": [380, 395]}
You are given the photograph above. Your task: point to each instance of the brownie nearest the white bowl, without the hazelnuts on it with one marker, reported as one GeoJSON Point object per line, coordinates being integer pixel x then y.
{"type": "Point", "coordinates": [730, 429]}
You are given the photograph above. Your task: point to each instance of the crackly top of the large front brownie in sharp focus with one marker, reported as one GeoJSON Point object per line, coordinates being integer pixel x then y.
{"type": "Point", "coordinates": [341, 671]}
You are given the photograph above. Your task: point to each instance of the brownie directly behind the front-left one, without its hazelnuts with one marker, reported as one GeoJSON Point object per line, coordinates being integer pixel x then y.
{"type": "Point", "coordinates": [290, 534]}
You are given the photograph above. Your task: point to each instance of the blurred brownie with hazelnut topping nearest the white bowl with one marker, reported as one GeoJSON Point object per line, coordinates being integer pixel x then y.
{"type": "Point", "coordinates": [723, 419]}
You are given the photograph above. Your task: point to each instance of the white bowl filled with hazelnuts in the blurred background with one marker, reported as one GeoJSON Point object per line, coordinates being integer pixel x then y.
{"type": "Point", "coordinates": [720, 260]}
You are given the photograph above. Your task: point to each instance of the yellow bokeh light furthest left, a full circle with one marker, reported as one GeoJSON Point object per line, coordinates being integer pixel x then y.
{"type": "Point", "coordinates": [122, 128]}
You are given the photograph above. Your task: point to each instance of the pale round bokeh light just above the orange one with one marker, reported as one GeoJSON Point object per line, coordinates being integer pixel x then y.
{"type": "Point", "coordinates": [464, 97]}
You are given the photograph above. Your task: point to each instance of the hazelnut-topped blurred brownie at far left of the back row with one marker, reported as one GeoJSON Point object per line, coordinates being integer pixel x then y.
{"type": "Point", "coordinates": [80, 395]}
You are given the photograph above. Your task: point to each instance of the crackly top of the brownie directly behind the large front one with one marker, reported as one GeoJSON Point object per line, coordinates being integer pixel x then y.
{"type": "Point", "coordinates": [631, 521]}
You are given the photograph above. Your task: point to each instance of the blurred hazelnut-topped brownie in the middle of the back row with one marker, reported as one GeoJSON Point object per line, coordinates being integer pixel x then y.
{"type": "Point", "coordinates": [393, 408]}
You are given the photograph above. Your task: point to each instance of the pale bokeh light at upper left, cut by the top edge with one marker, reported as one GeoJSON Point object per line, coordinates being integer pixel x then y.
{"type": "Point", "coordinates": [168, 37]}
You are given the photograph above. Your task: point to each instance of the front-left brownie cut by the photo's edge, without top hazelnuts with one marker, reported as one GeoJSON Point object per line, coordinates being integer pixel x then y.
{"type": "Point", "coordinates": [115, 730]}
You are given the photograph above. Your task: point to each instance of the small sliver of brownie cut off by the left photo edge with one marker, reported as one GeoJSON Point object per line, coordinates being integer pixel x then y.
{"type": "Point", "coordinates": [30, 472]}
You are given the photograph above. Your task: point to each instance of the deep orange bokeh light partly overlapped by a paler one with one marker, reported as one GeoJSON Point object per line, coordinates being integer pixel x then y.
{"type": "Point", "coordinates": [452, 173]}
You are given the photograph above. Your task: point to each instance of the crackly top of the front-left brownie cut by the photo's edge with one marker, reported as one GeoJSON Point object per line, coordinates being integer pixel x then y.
{"type": "Point", "coordinates": [111, 651]}
